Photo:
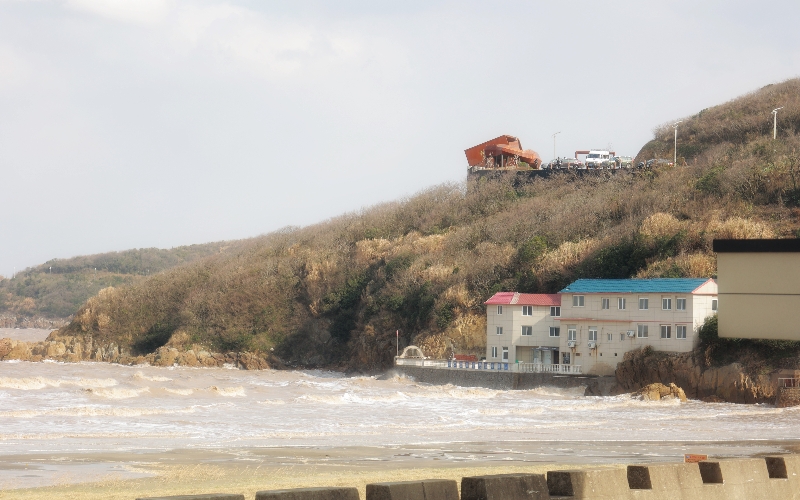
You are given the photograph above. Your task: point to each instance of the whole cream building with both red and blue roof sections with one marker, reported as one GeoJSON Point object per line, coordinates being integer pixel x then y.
{"type": "Point", "coordinates": [597, 321]}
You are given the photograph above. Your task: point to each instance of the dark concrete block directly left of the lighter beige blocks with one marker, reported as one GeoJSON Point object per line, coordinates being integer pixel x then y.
{"type": "Point", "coordinates": [505, 487]}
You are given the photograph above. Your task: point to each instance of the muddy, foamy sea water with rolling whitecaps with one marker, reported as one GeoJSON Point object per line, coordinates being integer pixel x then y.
{"type": "Point", "coordinates": [54, 408]}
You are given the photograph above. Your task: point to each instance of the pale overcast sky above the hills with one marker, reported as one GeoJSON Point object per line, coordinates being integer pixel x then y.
{"type": "Point", "coordinates": [159, 123]}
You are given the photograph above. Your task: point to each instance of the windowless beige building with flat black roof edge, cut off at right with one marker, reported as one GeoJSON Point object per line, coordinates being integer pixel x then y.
{"type": "Point", "coordinates": [759, 285]}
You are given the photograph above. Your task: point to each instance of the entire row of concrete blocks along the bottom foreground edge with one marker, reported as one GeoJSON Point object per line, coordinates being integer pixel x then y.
{"type": "Point", "coordinates": [768, 478]}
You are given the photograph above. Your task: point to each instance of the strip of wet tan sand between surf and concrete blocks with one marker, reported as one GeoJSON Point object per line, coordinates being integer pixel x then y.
{"type": "Point", "coordinates": [130, 475]}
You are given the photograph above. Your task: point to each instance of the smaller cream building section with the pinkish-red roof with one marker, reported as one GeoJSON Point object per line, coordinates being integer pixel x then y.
{"type": "Point", "coordinates": [523, 327]}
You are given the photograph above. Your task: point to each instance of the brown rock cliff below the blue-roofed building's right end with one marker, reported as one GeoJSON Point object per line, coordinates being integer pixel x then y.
{"type": "Point", "coordinates": [729, 383]}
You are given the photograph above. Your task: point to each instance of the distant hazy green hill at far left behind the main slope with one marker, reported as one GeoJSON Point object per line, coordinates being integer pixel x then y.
{"type": "Point", "coordinates": [56, 289]}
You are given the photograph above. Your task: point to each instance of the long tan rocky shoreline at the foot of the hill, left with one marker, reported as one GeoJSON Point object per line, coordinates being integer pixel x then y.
{"type": "Point", "coordinates": [85, 348]}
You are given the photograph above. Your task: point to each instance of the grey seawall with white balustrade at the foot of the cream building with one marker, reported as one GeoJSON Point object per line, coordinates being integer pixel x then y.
{"type": "Point", "coordinates": [502, 380]}
